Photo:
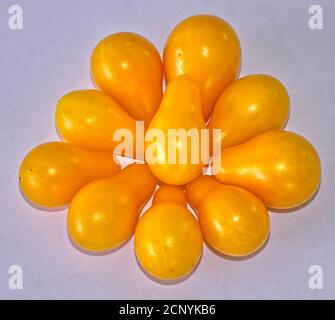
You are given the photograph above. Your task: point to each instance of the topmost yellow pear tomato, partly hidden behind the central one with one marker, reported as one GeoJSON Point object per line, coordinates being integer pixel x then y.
{"type": "Point", "coordinates": [208, 49]}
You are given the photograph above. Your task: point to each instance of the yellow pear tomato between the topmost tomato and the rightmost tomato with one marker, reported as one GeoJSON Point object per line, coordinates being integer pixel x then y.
{"type": "Point", "coordinates": [249, 106]}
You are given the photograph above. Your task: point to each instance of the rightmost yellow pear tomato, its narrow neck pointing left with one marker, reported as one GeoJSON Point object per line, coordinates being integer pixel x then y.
{"type": "Point", "coordinates": [280, 167]}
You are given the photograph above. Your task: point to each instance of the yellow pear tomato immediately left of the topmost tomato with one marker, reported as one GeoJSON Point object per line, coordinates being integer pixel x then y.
{"type": "Point", "coordinates": [128, 67]}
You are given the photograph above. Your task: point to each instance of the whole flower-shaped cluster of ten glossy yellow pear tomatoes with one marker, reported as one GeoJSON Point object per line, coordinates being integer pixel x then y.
{"type": "Point", "coordinates": [260, 165]}
